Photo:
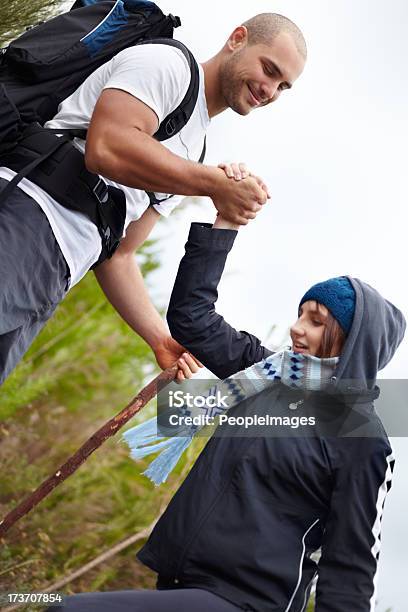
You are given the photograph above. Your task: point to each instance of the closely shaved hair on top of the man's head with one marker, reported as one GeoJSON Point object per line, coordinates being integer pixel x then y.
{"type": "Point", "coordinates": [264, 28]}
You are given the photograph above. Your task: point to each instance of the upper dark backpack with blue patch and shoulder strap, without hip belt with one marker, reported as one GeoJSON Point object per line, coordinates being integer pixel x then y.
{"type": "Point", "coordinates": [47, 63]}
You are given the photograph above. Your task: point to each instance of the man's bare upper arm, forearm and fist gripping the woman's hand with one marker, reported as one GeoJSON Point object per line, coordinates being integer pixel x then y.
{"type": "Point", "coordinates": [120, 147]}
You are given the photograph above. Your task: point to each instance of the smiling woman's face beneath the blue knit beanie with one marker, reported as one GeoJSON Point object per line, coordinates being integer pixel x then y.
{"type": "Point", "coordinates": [307, 332]}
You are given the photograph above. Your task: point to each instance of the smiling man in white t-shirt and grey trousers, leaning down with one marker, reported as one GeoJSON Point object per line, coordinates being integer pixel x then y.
{"type": "Point", "coordinates": [48, 248]}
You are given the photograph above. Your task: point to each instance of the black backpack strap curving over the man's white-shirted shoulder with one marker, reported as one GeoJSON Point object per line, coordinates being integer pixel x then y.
{"type": "Point", "coordinates": [178, 118]}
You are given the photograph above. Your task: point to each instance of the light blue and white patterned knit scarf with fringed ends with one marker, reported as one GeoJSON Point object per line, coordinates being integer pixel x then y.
{"type": "Point", "coordinates": [294, 370]}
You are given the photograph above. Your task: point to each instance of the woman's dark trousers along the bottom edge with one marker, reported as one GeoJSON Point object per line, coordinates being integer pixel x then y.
{"type": "Point", "coordinates": [176, 600]}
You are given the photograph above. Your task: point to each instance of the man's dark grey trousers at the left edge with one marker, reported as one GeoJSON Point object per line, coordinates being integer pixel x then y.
{"type": "Point", "coordinates": [34, 276]}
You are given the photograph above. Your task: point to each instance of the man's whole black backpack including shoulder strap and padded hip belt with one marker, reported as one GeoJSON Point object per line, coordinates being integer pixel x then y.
{"type": "Point", "coordinates": [47, 64]}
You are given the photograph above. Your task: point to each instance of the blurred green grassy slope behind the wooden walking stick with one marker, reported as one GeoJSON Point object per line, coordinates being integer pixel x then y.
{"type": "Point", "coordinates": [83, 368]}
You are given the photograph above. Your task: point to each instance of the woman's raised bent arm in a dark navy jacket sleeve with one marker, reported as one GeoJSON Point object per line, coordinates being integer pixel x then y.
{"type": "Point", "coordinates": [191, 316]}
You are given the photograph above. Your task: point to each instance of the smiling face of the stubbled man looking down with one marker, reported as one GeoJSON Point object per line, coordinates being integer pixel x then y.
{"type": "Point", "coordinates": [255, 75]}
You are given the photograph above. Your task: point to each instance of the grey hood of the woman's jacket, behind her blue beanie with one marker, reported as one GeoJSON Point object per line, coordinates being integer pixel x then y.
{"type": "Point", "coordinates": [376, 332]}
